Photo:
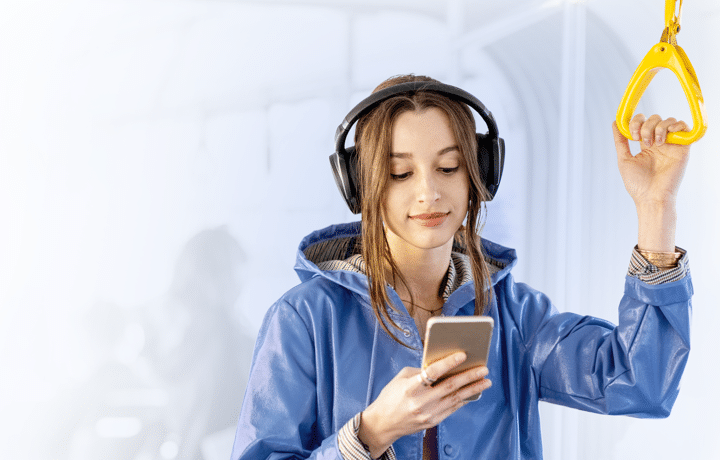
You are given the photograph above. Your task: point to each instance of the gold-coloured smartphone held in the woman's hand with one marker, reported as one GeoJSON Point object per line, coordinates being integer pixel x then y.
{"type": "Point", "coordinates": [445, 335]}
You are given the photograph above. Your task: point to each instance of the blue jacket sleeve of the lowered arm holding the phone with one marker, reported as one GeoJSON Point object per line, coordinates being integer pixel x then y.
{"type": "Point", "coordinates": [278, 419]}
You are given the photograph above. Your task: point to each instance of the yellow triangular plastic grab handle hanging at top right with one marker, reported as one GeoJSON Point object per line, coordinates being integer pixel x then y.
{"type": "Point", "coordinates": [674, 58]}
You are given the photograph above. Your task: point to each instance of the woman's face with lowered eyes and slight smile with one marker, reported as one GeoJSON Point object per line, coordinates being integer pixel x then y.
{"type": "Point", "coordinates": [427, 196]}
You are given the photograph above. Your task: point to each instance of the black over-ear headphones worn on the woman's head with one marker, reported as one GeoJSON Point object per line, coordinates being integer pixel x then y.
{"type": "Point", "coordinates": [344, 162]}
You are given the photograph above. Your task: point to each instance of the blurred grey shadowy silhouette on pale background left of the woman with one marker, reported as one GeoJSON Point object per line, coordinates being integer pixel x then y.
{"type": "Point", "coordinates": [168, 379]}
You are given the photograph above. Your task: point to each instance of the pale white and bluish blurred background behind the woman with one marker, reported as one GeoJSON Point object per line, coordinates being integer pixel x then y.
{"type": "Point", "coordinates": [160, 160]}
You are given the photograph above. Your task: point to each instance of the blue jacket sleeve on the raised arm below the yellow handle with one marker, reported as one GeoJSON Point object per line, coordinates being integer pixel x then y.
{"type": "Point", "coordinates": [633, 368]}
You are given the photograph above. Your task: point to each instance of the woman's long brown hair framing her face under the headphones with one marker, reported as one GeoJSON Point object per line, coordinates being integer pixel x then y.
{"type": "Point", "coordinates": [373, 140]}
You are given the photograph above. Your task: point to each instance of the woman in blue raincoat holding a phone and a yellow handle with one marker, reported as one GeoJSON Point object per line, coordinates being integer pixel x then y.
{"type": "Point", "coordinates": [335, 371]}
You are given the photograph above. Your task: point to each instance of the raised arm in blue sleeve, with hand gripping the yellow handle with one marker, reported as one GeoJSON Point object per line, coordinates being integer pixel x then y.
{"type": "Point", "coordinates": [633, 368]}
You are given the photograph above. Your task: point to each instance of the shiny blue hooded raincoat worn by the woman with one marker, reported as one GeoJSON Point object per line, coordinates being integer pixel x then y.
{"type": "Point", "coordinates": [321, 357]}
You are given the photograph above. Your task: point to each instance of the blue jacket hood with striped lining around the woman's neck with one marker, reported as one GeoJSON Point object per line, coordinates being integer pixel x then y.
{"type": "Point", "coordinates": [333, 253]}
